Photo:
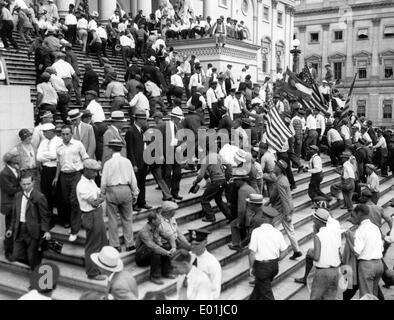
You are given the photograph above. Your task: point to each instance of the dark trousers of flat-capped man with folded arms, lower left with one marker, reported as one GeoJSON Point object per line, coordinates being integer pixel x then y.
{"type": "Point", "coordinates": [96, 238]}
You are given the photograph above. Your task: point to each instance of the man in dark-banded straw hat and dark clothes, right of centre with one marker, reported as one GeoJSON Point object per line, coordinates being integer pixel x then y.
{"type": "Point", "coordinates": [243, 191]}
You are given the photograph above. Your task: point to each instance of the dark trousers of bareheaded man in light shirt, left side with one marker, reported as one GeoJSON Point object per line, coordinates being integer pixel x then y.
{"type": "Point", "coordinates": [68, 183]}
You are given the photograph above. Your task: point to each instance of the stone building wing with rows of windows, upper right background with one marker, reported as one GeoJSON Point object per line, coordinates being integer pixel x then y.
{"type": "Point", "coordinates": [354, 36]}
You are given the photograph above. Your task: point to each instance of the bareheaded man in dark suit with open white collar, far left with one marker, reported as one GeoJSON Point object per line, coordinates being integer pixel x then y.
{"type": "Point", "coordinates": [30, 223]}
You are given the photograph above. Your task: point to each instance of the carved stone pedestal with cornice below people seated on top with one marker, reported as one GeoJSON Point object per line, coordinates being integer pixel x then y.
{"type": "Point", "coordinates": [237, 53]}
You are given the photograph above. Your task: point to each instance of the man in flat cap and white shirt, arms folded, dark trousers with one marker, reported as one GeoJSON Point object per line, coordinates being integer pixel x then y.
{"type": "Point", "coordinates": [90, 202]}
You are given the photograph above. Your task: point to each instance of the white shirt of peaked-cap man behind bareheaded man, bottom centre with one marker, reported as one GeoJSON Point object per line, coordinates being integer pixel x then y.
{"type": "Point", "coordinates": [211, 267]}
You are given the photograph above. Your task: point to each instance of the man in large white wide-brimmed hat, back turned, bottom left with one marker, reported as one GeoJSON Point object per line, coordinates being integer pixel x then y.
{"type": "Point", "coordinates": [121, 284]}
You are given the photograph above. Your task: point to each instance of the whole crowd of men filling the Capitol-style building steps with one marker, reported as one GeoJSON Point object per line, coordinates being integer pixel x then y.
{"type": "Point", "coordinates": [70, 175]}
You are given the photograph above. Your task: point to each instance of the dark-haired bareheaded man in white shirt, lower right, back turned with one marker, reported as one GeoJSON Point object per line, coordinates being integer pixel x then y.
{"type": "Point", "coordinates": [368, 248]}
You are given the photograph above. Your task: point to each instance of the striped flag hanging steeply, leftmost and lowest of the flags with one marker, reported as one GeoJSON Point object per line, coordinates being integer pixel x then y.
{"type": "Point", "coordinates": [277, 132]}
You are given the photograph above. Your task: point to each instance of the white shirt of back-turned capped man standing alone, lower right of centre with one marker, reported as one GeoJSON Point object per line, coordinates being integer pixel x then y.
{"type": "Point", "coordinates": [267, 243]}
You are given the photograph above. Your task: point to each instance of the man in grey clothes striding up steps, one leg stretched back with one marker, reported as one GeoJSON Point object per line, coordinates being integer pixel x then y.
{"type": "Point", "coordinates": [282, 200]}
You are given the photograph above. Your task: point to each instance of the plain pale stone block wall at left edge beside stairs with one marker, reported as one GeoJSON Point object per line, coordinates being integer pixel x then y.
{"type": "Point", "coordinates": [16, 113]}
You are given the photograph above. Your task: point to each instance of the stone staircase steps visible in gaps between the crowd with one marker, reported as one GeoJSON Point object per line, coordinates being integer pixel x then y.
{"type": "Point", "coordinates": [14, 277]}
